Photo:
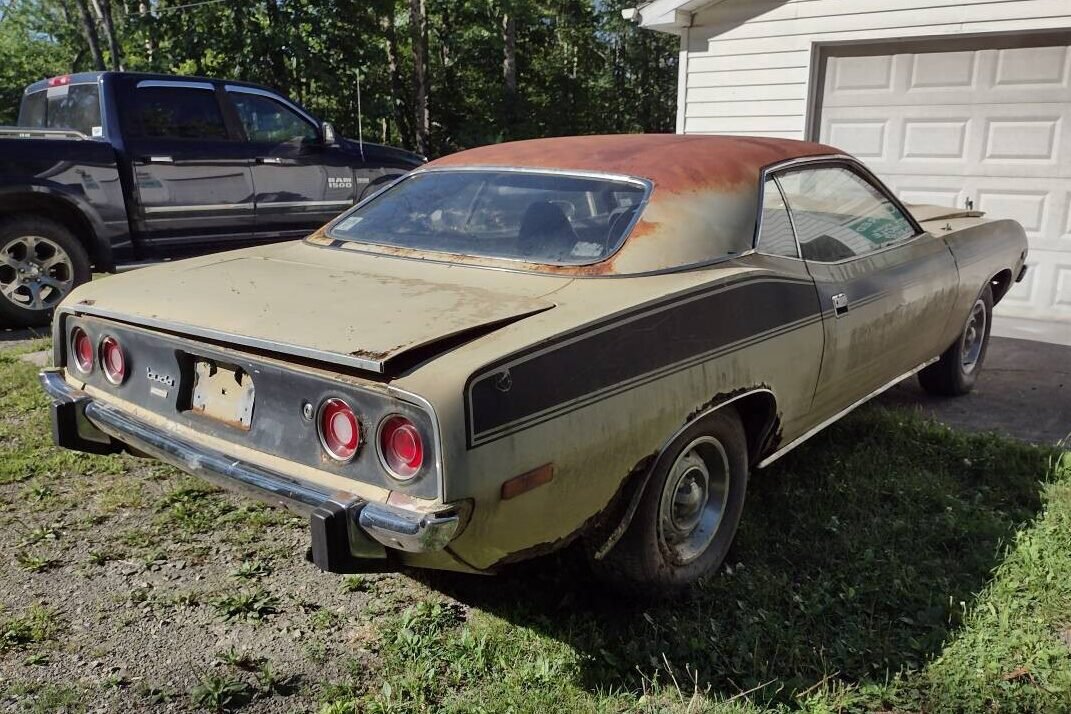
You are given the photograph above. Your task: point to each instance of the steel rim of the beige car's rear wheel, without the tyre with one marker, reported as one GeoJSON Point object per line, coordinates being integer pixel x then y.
{"type": "Point", "coordinates": [693, 500]}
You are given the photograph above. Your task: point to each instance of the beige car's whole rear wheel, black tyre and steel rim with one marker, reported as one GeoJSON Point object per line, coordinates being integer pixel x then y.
{"type": "Point", "coordinates": [689, 512]}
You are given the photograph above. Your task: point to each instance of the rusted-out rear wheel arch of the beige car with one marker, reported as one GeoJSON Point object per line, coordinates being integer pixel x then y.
{"type": "Point", "coordinates": [758, 408]}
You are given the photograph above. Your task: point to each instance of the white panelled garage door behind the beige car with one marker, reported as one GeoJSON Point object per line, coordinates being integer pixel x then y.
{"type": "Point", "coordinates": [984, 128]}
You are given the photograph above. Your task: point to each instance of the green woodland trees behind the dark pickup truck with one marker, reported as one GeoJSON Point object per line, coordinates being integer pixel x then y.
{"type": "Point", "coordinates": [496, 70]}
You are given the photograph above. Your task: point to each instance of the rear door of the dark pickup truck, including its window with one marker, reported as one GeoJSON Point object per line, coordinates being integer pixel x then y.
{"type": "Point", "coordinates": [192, 177]}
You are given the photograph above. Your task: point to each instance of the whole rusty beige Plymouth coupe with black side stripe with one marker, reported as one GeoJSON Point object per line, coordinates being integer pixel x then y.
{"type": "Point", "coordinates": [587, 340]}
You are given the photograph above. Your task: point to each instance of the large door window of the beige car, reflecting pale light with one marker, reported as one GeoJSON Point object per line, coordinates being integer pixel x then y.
{"type": "Point", "coordinates": [839, 215]}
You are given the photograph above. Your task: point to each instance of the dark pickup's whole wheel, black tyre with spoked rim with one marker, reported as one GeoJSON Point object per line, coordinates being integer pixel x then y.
{"type": "Point", "coordinates": [41, 262]}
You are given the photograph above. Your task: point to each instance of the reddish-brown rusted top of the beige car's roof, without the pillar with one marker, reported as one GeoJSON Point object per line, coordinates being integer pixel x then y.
{"type": "Point", "coordinates": [674, 163]}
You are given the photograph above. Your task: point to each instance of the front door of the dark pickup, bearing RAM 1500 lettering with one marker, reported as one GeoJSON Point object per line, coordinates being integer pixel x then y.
{"type": "Point", "coordinates": [301, 181]}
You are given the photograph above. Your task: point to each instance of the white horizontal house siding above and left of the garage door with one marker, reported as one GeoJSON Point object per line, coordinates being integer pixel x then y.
{"type": "Point", "coordinates": [749, 62]}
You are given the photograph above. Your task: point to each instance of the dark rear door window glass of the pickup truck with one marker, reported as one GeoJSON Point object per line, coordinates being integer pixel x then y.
{"type": "Point", "coordinates": [179, 113]}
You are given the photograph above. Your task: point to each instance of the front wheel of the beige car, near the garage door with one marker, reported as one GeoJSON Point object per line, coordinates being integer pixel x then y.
{"type": "Point", "coordinates": [956, 372]}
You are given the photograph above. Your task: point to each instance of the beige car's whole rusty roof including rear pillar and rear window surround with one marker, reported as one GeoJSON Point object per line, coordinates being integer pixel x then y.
{"type": "Point", "coordinates": [703, 205]}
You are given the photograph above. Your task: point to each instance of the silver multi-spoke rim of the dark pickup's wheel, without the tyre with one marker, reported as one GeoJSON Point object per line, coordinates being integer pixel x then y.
{"type": "Point", "coordinates": [35, 272]}
